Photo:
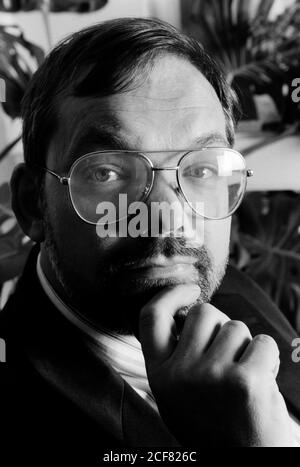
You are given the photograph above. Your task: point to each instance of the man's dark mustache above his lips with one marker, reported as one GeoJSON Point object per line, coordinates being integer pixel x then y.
{"type": "Point", "coordinates": [146, 248]}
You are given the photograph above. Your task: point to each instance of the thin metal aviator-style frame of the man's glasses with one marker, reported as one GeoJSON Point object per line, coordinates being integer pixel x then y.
{"type": "Point", "coordinates": [66, 180]}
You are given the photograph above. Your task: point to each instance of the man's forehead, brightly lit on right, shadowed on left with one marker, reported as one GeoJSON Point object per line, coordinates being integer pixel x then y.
{"type": "Point", "coordinates": [174, 108]}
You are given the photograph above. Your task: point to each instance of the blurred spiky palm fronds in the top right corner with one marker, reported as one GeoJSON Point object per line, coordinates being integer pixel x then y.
{"type": "Point", "coordinates": [260, 54]}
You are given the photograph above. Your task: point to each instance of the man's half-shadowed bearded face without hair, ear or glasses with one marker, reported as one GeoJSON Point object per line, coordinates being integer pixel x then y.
{"type": "Point", "coordinates": [174, 108]}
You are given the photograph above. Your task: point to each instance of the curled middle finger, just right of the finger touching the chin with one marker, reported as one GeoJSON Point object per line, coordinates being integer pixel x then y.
{"type": "Point", "coordinates": [201, 325]}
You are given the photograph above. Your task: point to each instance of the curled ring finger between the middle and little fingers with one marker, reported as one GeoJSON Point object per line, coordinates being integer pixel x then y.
{"type": "Point", "coordinates": [230, 343]}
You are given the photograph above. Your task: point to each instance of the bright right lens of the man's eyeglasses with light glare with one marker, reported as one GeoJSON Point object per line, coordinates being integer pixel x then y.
{"type": "Point", "coordinates": [213, 181]}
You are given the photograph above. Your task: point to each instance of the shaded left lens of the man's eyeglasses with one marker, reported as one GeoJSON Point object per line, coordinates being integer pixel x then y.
{"type": "Point", "coordinates": [102, 178]}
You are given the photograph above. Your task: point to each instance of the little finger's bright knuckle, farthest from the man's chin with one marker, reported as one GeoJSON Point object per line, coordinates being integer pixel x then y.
{"type": "Point", "coordinates": [262, 354]}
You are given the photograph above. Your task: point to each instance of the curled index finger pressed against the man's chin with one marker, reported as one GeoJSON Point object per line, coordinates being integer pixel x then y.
{"type": "Point", "coordinates": [157, 325]}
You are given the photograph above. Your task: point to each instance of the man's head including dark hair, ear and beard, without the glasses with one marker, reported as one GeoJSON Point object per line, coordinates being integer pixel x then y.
{"type": "Point", "coordinates": [131, 84]}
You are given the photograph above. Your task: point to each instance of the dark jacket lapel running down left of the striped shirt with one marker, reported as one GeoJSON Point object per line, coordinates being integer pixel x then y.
{"type": "Point", "coordinates": [58, 352]}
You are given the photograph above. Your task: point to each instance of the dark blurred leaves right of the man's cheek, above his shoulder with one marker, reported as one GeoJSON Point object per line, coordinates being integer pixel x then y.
{"type": "Point", "coordinates": [265, 244]}
